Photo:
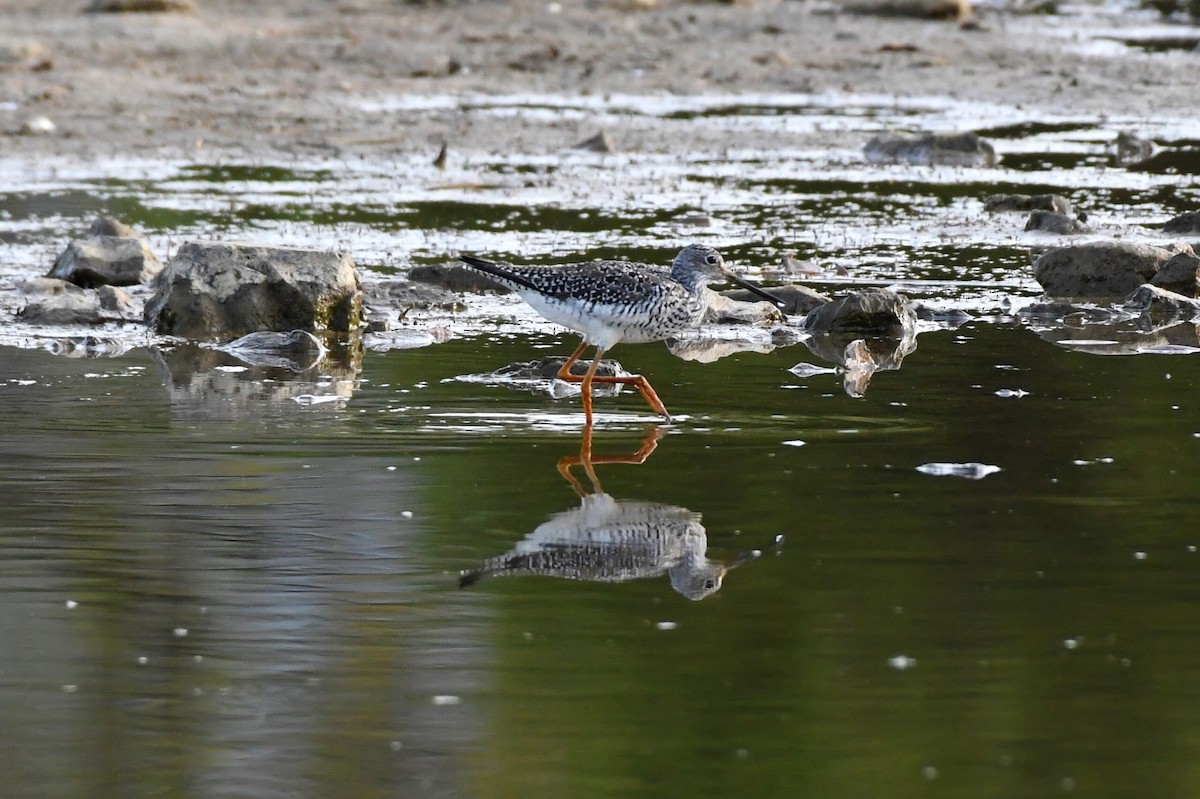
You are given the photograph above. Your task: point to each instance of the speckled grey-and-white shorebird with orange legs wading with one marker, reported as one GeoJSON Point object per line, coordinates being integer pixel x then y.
{"type": "Point", "coordinates": [614, 302]}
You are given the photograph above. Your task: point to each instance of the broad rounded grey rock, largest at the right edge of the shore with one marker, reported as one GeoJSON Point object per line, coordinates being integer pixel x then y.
{"type": "Point", "coordinates": [1099, 269]}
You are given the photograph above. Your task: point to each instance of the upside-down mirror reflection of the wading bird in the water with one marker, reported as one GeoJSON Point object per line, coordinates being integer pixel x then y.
{"type": "Point", "coordinates": [610, 540]}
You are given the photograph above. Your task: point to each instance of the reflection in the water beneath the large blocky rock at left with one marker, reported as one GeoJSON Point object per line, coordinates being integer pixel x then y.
{"type": "Point", "coordinates": [238, 380]}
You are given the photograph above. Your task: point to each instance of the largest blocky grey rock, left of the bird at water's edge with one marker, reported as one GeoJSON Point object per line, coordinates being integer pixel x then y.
{"type": "Point", "coordinates": [215, 291]}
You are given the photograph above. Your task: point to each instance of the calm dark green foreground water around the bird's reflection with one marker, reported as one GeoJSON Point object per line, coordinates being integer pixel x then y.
{"type": "Point", "coordinates": [201, 597]}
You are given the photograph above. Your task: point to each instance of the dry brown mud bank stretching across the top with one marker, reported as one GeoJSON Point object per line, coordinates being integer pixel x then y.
{"type": "Point", "coordinates": [275, 81]}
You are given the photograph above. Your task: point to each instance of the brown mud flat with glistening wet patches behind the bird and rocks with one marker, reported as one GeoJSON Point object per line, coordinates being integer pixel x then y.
{"type": "Point", "coordinates": [407, 134]}
